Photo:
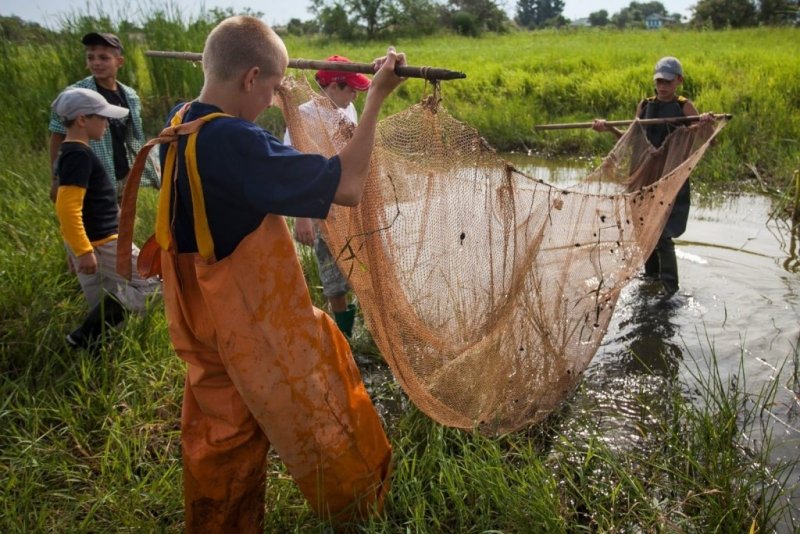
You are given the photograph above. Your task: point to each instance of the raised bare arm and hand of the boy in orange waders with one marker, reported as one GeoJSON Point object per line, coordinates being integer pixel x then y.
{"type": "Point", "coordinates": [355, 156]}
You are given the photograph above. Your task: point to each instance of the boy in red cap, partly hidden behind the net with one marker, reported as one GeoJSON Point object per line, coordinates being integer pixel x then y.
{"type": "Point", "coordinates": [342, 89]}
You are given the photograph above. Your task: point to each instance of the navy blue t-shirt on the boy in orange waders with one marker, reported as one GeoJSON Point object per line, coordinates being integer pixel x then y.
{"type": "Point", "coordinates": [246, 174]}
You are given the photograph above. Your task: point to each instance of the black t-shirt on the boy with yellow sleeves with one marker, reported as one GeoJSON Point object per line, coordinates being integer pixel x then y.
{"type": "Point", "coordinates": [77, 165]}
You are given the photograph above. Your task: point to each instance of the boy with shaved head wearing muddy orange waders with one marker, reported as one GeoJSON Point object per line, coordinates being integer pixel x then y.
{"type": "Point", "coordinates": [265, 367]}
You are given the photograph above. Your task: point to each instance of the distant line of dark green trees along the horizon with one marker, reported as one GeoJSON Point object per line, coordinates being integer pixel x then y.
{"type": "Point", "coordinates": [372, 19]}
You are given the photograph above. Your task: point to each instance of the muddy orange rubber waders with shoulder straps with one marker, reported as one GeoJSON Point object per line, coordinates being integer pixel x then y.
{"type": "Point", "coordinates": [265, 368]}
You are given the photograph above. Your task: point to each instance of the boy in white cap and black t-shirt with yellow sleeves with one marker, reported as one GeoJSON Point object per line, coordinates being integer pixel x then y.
{"type": "Point", "coordinates": [87, 211]}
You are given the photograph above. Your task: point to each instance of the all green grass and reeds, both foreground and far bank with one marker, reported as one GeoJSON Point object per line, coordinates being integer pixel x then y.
{"type": "Point", "coordinates": [90, 443]}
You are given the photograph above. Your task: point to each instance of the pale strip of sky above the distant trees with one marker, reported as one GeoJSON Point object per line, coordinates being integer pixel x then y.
{"type": "Point", "coordinates": [47, 12]}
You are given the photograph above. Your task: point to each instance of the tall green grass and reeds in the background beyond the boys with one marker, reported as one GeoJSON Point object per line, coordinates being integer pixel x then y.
{"type": "Point", "coordinates": [514, 81]}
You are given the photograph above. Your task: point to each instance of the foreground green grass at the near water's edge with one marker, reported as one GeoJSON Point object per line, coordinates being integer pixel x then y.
{"type": "Point", "coordinates": [90, 443]}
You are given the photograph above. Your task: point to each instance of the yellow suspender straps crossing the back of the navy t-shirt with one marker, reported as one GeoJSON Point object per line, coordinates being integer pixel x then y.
{"type": "Point", "coordinates": [205, 243]}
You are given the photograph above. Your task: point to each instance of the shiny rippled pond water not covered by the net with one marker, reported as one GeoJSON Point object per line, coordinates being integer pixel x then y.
{"type": "Point", "coordinates": [739, 303]}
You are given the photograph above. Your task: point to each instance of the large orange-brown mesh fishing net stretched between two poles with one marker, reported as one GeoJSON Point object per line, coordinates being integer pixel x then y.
{"type": "Point", "coordinates": [486, 289]}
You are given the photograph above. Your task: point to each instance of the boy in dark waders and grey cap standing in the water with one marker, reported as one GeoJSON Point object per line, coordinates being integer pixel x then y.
{"type": "Point", "coordinates": [662, 264]}
